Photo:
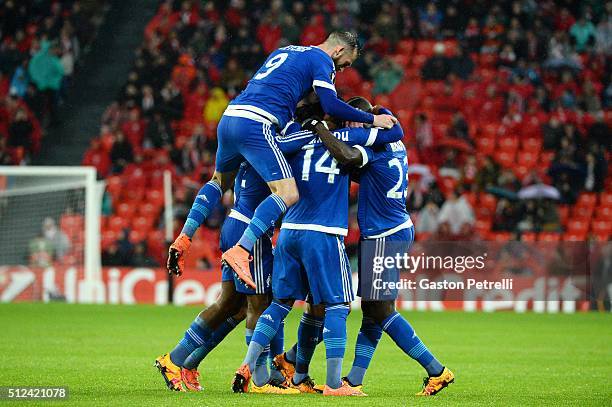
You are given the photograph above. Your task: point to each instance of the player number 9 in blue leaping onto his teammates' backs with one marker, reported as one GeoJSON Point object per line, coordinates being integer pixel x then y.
{"type": "Point", "coordinates": [246, 132]}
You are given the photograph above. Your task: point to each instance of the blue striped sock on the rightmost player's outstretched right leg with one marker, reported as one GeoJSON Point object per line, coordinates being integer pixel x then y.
{"type": "Point", "coordinates": [404, 336]}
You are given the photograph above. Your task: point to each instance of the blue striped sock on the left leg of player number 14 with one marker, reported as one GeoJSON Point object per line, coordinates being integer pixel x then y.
{"type": "Point", "coordinates": [265, 330]}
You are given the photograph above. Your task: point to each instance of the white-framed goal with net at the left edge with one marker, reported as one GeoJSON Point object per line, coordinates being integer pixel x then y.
{"type": "Point", "coordinates": [49, 220]}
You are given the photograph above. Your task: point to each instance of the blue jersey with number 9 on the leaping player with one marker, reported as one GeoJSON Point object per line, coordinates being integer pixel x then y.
{"type": "Point", "coordinates": [286, 77]}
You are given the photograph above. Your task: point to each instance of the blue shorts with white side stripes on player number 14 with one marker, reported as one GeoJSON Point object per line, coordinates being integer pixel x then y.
{"type": "Point", "coordinates": [312, 262]}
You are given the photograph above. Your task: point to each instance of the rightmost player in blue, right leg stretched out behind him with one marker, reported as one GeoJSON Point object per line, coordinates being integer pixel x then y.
{"type": "Point", "coordinates": [382, 218]}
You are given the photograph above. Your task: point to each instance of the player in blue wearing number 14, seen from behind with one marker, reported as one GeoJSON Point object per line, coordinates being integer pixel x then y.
{"type": "Point", "coordinates": [310, 257]}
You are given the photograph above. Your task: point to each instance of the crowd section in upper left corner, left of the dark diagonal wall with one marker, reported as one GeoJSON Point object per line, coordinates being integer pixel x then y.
{"type": "Point", "coordinates": [40, 46]}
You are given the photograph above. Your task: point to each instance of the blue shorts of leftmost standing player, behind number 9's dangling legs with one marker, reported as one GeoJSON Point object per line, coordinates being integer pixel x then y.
{"type": "Point", "coordinates": [263, 259]}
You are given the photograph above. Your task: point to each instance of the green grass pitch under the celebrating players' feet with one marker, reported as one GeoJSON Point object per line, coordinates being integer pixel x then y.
{"type": "Point", "coordinates": [105, 355]}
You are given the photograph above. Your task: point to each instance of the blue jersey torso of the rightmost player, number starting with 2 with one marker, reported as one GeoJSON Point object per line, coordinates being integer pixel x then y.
{"type": "Point", "coordinates": [382, 192]}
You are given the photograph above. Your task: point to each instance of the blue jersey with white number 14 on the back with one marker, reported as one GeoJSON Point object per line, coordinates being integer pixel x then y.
{"type": "Point", "coordinates": [322, 183]}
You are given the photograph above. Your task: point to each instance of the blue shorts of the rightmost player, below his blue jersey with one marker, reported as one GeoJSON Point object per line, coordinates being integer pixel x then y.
{"type": "Point", "coordinates": [387, 246]}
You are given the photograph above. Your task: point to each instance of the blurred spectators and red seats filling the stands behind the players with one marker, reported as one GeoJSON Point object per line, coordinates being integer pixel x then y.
{"type": "Point", "coordinates": [507, 107]}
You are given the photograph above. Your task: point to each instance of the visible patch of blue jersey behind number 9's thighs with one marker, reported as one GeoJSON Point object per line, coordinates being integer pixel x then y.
{"type": "Point", "coordinates": [249, 190]}
